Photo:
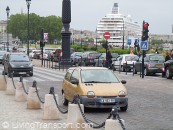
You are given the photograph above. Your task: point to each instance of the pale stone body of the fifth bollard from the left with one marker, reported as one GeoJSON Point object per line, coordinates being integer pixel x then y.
{"type": "Point", "coordinates": [50, 108]}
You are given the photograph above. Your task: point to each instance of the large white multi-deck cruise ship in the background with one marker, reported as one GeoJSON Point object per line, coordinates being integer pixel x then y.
{"type": "Point", "coordinates": [121, 28]}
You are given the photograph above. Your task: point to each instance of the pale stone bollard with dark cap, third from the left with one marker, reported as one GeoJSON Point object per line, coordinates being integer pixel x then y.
{"type": "Point", "coordinates": [20, 95]}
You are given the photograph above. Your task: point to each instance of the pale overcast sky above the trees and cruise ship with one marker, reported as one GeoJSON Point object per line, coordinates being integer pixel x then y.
{"type": "Point", "coordinates": [87, 13]}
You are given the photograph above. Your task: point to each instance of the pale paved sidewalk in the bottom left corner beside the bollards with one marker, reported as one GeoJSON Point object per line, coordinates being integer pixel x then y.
{"type": "Point", "coordinates": [15, 115]}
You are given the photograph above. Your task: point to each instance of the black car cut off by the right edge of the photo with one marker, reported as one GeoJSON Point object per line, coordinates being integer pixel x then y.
{"type": "Point", "coordinates": [168, 69]}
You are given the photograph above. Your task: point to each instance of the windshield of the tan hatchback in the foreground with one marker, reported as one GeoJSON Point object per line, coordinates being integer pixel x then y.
{"type": "Point", "coordinates": [98, 76]}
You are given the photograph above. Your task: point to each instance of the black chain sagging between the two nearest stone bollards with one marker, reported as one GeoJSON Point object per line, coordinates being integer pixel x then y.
{"type": "Point", "coordinates": [87, 121]}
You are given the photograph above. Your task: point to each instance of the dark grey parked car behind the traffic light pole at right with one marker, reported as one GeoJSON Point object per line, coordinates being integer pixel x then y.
{"type": "Point", "coordinates": [153, 63]}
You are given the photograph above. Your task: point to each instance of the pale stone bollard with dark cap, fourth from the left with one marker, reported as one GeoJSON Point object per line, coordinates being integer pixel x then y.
{"type": "Point", "coordinates": [32, 98]}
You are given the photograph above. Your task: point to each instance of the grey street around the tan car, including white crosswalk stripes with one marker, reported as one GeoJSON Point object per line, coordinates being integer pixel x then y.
{"type": "Point", "coordinates": [150, 99]}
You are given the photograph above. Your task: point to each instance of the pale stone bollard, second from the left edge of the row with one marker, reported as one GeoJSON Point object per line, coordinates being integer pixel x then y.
{"type": "Point", "coordinates": [10, 88]}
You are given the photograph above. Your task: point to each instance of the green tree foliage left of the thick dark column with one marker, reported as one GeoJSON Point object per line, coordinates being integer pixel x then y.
{"type": "Point", "coordinates": [18, 26]}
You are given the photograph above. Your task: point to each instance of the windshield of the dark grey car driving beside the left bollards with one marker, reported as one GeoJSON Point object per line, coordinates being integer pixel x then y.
{"type": "Point", "coordinates": [19, 58]}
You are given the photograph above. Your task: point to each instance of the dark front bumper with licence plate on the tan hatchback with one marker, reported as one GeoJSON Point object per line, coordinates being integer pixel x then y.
{"type": "Point", "coordinates": [103, 102]}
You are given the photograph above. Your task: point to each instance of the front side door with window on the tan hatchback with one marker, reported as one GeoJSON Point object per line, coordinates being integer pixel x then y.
{"type": "Point", "coordinates": [72, 88]}
